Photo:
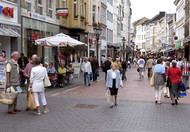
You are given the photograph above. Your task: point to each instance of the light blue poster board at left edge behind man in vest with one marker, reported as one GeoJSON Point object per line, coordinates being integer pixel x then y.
{"type": "Point", "coordinates": [2, 75]}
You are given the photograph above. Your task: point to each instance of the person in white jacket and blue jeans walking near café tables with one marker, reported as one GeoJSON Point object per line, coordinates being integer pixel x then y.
{"type": "Point", "coordinates": [87, 69]}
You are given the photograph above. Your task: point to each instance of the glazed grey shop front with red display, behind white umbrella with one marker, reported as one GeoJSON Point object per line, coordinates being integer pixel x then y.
{"type": "Point", "coordinates": [32, 30]}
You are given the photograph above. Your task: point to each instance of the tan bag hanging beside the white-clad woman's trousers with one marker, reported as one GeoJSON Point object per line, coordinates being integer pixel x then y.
{"type": "Point", "coordinates": [31, 101]}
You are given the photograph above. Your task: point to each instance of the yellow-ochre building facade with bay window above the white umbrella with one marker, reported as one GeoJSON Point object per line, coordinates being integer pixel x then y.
{"type": "Point", "coordinates": [75, 24]}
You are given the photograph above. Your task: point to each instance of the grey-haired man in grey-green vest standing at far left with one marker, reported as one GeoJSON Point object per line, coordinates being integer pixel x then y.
{"type": "Point", "coordinates": [12, 69]}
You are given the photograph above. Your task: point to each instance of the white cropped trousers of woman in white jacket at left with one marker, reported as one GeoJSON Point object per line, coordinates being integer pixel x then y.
{"type": "Point", "coordinates": [42, 97]}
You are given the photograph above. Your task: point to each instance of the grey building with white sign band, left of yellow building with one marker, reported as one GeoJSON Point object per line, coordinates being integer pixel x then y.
{"type": "Point", "coordinates": [39, 21]}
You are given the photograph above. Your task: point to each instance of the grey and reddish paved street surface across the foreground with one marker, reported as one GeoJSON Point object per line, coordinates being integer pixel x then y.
{"type": "Point", "coordinates": [84, 109]}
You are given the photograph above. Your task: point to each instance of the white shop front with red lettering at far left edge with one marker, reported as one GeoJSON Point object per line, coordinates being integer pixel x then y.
{"type": "Point", "coordinates": [10, 27]}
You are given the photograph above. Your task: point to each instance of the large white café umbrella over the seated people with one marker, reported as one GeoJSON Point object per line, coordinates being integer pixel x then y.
{"type": "Point", "coordinates": [59, 40]}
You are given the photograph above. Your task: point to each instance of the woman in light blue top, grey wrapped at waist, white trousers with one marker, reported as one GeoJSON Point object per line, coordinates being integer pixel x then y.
{"type": "Point", "coordinates": [159, 80]}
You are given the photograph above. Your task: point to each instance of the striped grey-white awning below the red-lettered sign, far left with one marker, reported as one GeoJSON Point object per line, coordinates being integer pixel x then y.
{"type": "Point", "coordinates": [8, 32]}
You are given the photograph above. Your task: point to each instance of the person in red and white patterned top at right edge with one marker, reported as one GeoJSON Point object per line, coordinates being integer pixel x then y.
{"type": "Point", "coordinates": [185, 67]}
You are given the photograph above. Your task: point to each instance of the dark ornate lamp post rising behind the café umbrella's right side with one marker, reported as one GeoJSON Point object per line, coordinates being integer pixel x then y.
{"type": "Point", "coordinates": [97, 31]}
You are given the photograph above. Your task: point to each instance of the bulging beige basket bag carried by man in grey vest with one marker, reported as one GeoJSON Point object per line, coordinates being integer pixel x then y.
{"type": "Point", "coordinates": [6, 97]}
